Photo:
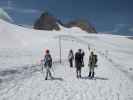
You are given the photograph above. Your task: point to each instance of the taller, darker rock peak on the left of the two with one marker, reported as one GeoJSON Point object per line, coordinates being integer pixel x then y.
{"type": "Point", "coordinates": [46, 22]}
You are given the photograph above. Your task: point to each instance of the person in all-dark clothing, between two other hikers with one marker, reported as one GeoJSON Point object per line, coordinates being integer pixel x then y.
{"type": "Point", "coordinates": [78, 63]}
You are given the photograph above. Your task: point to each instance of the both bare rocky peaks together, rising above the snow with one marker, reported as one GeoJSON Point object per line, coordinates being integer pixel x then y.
{"type": "Point", "coordinates": [49, 22]}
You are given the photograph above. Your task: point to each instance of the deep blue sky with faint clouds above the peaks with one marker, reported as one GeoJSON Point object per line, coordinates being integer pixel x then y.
{"type": "Point", "coordinates": [106, 15]}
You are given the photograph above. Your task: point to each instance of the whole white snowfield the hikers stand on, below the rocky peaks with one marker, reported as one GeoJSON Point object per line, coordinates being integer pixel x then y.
{"type": "Point", "coordinates": [21, 77]}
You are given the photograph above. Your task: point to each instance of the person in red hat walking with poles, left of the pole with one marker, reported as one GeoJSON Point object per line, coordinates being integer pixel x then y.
{"type": "Point", "coordinates": [48, 64]}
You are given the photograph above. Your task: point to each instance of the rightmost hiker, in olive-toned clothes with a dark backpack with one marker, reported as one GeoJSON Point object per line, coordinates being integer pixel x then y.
{"type": "Point", "coordinates": [92, 64]}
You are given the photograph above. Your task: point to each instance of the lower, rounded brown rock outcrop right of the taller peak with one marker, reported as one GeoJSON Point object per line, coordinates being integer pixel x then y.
{"type": "Point", "coordinates": [83, 24]}
